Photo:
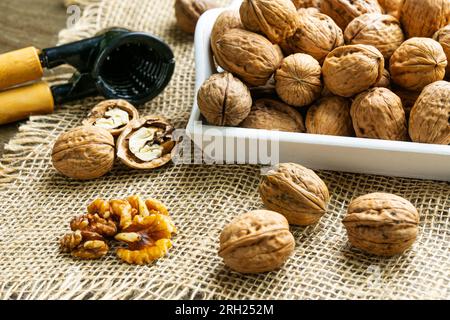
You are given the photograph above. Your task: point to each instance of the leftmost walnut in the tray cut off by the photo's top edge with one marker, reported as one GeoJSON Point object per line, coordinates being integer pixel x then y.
{"type": "Point", "coordinates": [277, 19]}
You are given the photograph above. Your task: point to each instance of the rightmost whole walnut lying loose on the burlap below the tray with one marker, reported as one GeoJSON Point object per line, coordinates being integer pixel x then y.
{"type": "Point", "coordinates": [382, 224]}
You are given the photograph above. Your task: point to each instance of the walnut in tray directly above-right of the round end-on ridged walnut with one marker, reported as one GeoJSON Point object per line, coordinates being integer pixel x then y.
{"type": "Point", "coordinates": [316, 35]}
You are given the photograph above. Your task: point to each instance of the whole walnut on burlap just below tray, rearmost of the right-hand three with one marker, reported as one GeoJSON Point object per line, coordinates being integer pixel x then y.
{"type": "Point", "coordinates": [296, 192]}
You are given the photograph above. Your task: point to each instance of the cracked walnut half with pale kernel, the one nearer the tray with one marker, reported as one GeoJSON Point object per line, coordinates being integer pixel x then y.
{"type": "Point", "coordinates": [146, 143]}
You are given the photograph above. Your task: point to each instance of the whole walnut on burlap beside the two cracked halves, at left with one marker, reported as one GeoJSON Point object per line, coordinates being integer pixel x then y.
{"type": "Point", "coordinates": [84, 153]}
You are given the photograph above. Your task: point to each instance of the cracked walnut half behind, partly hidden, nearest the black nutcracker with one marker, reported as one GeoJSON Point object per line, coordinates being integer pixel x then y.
{"type": "Point", "coordinates": [112, 115]}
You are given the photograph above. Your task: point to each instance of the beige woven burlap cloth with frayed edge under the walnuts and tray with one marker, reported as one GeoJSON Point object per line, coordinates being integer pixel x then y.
{"type": "Point", "coordinates": [37, 204]}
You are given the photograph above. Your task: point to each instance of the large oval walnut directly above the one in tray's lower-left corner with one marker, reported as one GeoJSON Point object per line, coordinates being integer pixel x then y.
{"type": "Point", "coordinates": [236, 52]}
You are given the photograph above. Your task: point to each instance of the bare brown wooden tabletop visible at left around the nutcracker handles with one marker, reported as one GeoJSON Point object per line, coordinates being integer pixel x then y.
{"type": "Point", "coordinates": [28, 23]}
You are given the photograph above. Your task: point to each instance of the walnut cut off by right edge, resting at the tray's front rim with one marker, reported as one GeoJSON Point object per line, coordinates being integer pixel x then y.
{"type": "Point", "coordinates": [429, 120]}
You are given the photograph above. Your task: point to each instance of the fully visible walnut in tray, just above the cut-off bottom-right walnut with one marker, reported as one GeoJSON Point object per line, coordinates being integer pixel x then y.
{"type": "Point", "coordinates": [417, 63]}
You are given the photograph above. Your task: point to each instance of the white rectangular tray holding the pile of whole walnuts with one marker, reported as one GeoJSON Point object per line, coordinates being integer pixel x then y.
{"type": "Point", "coordinates": [391, 158]}
